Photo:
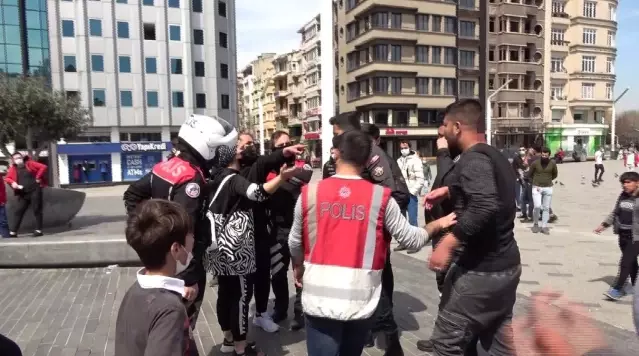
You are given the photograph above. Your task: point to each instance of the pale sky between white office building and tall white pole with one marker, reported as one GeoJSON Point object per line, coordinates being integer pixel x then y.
{"type": "Point", "coordinates": [270, 26]}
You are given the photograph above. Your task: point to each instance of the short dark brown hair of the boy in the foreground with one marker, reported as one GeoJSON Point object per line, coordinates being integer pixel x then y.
{"type": "Point", "coordinates": [154, 226]}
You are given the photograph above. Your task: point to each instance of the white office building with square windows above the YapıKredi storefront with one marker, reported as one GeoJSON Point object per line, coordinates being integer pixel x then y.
{"type": "Point", "coordinates": [140, 66]}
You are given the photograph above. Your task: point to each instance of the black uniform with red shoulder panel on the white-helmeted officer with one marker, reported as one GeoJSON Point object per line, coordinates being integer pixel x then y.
{"type": "Point", "coordinates": [182, 182]}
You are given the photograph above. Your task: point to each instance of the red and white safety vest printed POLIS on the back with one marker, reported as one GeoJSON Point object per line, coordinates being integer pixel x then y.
{"type": "Point", "coordinates": [345, 247]}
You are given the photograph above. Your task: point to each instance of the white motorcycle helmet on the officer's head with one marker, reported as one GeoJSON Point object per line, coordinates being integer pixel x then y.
{"type": "Point", "coordinates": [205, 133]}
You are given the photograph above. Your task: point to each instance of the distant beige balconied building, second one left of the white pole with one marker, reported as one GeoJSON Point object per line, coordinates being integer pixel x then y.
{"type": "Point", "coordinates": [288, 93]}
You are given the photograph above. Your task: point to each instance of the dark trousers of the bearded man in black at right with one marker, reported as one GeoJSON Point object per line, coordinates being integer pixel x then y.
{"type": "Point", "coordinates": [476, 306]}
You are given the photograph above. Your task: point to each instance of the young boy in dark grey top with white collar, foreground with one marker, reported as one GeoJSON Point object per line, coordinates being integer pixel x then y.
{"type": "Point", "coordinates": [152, 319]}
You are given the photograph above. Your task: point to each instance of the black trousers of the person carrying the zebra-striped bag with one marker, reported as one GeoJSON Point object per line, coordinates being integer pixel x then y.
{"type": "Point", "coordinates": [234, 295]}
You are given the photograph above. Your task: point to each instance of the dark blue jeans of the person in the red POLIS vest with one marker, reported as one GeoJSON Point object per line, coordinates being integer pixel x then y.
{"type": "Point", "coordinates": [326, 337]}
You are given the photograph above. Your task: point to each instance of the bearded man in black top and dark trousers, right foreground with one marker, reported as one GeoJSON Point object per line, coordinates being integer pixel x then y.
{"type": "Point", "coordinates": [481, 286]}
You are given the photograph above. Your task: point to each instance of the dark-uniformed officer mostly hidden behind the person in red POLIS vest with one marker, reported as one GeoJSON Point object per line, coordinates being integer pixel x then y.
{"type": "Point", "coordinates": [379, 171]}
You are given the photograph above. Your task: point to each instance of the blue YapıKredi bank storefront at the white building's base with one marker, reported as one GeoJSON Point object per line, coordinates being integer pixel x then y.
{"type": "Point", "coordinates": [82, 163]}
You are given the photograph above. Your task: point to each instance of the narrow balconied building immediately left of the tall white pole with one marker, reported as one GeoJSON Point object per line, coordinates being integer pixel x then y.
{"type": "Point", "coordinates": [310, 49]}
